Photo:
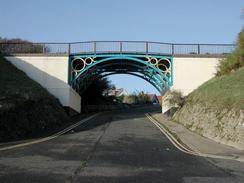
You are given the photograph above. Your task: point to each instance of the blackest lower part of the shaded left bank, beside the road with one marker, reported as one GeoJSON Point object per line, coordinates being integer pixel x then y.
{"type": "Point", "coordinates": [21, 118]}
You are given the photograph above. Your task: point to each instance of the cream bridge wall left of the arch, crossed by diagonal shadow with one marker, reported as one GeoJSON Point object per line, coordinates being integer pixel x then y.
{"type": "Point", "coordinates": [52, 73]}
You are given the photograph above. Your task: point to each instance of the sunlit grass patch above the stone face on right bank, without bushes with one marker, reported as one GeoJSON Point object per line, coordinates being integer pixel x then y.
{"type": "Point", "coordinates": [223, 92]}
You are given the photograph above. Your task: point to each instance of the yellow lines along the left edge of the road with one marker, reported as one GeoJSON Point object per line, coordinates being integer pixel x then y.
{"type": "Point", "coordinates": [49, 137]}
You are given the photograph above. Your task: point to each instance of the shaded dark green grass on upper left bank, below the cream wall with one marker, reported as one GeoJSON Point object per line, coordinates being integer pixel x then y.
{"type": "Point", "coordinates": [14, 82]}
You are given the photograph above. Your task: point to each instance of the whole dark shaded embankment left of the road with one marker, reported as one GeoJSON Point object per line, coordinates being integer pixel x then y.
{"type": "Point", "coordinates": [26, 109]}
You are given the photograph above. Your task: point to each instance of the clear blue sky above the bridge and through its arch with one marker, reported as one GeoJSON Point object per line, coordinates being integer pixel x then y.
{"type": "Point", "coordinates": [186, 21]}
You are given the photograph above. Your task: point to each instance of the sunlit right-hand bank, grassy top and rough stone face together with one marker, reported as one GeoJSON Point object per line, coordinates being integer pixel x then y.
{"type": "Point", "coordinates": [216, 109]}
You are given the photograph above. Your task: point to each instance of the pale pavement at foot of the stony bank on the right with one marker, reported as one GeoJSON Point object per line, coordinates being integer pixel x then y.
{"type": "Point", "coordinates": [199, 144]}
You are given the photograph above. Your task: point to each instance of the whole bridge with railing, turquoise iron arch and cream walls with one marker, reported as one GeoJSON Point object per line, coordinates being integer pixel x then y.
{"type": "Point", "coordinates": [163, 65]}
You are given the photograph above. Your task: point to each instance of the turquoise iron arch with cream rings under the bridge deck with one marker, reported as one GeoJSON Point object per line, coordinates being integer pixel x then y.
{"type": "Point", "coordinates": [155, 69]}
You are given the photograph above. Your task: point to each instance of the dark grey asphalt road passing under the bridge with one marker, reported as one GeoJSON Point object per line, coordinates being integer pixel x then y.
{"type": "Point", "coordinates": [121, 146]}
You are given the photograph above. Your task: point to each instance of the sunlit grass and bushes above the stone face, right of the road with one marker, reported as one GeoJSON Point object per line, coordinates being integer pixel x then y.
{"type": "Point", "coordinates": [227, 89]}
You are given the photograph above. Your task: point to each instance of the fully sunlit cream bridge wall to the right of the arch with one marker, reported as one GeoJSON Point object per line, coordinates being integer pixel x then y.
{"type": "Point", "coordinates": [190, 72]}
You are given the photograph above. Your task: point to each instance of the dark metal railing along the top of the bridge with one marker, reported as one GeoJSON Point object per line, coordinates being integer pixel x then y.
{"type": "Point", "coordinates": [95, 47]}
